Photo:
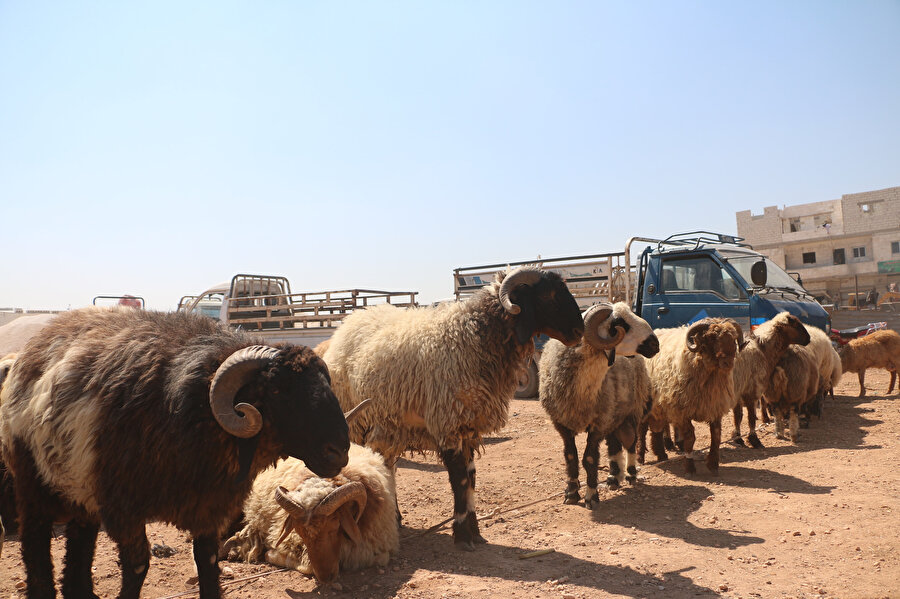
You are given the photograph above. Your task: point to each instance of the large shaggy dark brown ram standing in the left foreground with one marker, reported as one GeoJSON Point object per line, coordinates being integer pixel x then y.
{"type": "Point", "coordinates": [117, 416]}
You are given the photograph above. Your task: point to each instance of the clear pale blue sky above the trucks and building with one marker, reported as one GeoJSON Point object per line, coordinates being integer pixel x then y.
{"type": "Point", "coordinates": [158, 148]}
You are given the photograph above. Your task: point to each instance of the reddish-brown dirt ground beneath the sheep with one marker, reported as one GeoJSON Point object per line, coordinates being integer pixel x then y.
{"type": "Point", "coordinates": [816, 519]}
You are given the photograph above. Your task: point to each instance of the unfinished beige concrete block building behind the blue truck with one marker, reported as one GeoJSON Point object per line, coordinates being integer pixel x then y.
{"type": "Point", "coordinates": [837, 246]}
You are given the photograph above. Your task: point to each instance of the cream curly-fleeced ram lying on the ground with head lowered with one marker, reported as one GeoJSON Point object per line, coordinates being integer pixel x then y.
{"type": "Point", "coordinates": [295, 519]}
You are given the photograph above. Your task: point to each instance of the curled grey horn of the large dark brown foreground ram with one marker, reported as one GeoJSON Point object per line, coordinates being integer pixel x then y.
{"type": "Point", "coordinates": [242, 420]}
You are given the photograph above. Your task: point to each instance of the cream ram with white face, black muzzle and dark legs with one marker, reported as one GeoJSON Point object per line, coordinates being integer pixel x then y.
{"type": "Point", "coordinates": [575, 394]}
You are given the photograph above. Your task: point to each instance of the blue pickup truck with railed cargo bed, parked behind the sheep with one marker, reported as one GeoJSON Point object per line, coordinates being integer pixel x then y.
{"type": "Point", "coordinates": [672, 282]}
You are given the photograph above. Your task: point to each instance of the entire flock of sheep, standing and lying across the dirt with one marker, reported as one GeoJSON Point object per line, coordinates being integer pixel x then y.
{"type": "Point", "coordinates": [252, 454]}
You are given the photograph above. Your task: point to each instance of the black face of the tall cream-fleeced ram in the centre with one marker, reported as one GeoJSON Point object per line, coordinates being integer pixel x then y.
{"type": "Point", "coordinates": [547, 307]}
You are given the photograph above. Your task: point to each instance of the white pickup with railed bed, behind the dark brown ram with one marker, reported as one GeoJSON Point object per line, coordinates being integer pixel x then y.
{"type": "Point", "coordinates": [265, 305]}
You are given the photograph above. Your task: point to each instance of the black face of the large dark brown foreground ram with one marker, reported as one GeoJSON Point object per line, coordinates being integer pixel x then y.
{"type": "Point", "coordinates": [298, 392]}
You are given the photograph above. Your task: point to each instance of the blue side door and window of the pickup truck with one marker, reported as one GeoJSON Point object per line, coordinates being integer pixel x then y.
{"type": "Point", "coordinates": [686, 289]}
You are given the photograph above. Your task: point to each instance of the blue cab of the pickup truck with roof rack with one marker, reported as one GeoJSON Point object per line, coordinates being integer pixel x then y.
{"type": "Point", "coordinates": [691, 276]}
